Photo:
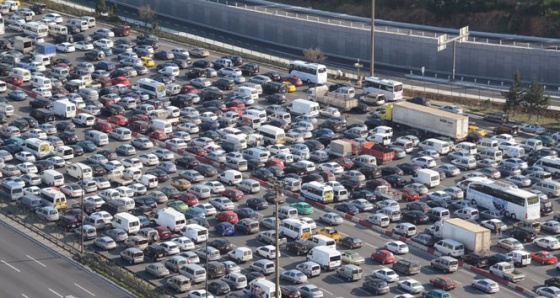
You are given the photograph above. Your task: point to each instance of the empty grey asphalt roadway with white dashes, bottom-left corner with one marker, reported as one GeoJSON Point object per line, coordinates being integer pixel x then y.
{"type": "Point", "coordinates": [29, 270]}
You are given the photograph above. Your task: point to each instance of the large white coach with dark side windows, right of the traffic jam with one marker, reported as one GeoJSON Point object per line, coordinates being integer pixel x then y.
{"type": "Point", "coordinates": [504, 197]}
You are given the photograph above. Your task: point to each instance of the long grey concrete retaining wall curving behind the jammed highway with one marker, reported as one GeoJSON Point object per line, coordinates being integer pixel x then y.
{"type": "Point", "coordinates": [409, 52]}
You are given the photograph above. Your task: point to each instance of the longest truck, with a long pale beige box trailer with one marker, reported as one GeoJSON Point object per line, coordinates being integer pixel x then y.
{"type": "Point", "coordinates": [427, 119]}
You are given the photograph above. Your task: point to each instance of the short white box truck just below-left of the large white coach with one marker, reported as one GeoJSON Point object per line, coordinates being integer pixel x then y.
{"type": "Point", "coordinates": [474, 237]}
